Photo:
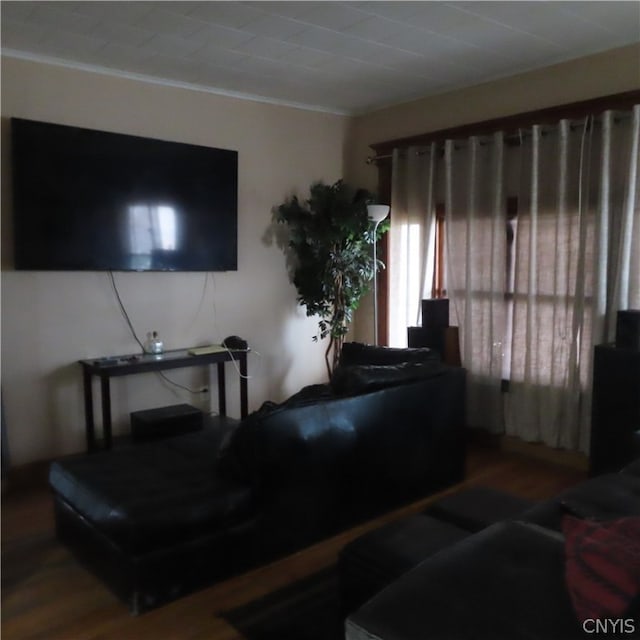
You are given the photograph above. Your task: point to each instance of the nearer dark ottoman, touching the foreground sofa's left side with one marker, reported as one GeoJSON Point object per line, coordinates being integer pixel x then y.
{"type": "Point", "coordinates": [372, 561]}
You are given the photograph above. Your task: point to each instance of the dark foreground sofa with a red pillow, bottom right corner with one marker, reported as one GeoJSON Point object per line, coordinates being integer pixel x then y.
{"type": "Point", "coordinates": [526, 578]}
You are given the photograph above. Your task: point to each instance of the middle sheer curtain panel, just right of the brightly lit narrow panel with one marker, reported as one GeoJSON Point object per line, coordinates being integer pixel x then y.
{"type": "Point", "coordinates": [475, 219]}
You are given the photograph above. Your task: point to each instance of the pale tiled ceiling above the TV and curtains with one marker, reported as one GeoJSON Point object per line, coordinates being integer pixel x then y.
{"type": "Point", "coordinates": [343, 57]}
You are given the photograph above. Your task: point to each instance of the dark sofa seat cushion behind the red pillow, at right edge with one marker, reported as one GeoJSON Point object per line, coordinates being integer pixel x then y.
{"type": "Point", "coordinates": [606, 497]}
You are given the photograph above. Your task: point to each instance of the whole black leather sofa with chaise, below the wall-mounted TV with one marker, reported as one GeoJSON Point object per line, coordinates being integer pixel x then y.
{"type": "Point", "coordinates": [156, 521]}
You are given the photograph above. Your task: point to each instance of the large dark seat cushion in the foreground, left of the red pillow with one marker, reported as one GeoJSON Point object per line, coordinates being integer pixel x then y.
{"type": "Point", "coordinates": [506, 581]}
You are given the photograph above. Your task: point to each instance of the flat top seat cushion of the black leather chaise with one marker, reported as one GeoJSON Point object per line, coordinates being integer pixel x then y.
{"type": "Point", "coordinates": [152, 496]}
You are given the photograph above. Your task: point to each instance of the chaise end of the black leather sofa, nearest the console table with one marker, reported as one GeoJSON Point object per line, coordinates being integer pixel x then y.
{"type": "Point", "coordinates": [154, 522]}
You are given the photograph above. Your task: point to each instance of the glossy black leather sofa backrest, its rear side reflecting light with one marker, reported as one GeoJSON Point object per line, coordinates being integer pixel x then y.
{"type": "Point", "coordinates": [318, 465]}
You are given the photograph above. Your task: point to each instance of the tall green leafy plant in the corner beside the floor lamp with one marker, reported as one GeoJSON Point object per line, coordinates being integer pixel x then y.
{"type": "Point", "coordinates": [330, 244]}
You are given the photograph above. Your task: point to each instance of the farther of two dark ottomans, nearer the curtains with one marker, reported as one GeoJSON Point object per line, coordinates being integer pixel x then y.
{"type": "Point", "coordinates": [478, 507]}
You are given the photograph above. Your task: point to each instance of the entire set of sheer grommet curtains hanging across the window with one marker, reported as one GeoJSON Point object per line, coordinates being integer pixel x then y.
{"type": "Point", "coordinates": [534, 289]}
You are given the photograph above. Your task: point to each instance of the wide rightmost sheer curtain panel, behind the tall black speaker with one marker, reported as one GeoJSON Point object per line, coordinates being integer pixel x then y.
{"type": "Point", "coordinates": [577, 252]}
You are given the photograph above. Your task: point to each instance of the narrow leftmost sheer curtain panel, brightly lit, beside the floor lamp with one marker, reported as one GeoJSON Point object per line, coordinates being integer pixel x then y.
{"type": "Point", "coordinates": [411, 238]}
